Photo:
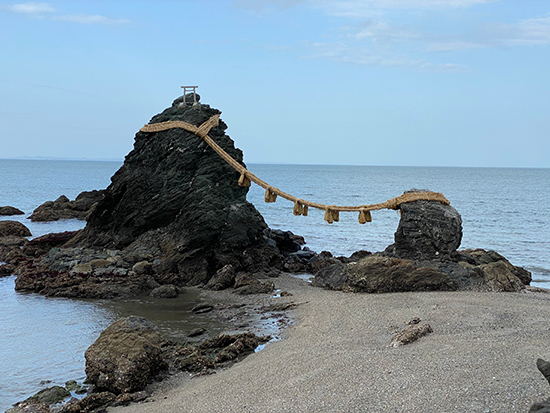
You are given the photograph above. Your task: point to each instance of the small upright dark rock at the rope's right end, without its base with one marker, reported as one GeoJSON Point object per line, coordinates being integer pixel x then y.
{"type": "Point", "coordinates": [427, 230]}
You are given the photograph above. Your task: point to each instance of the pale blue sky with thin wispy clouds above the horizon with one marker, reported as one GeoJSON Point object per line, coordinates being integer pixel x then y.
{"type": "Point", "coordinates": [362, 82]}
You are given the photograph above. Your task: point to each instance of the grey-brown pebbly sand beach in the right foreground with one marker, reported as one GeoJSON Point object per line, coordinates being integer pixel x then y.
{"type": "Point", "coordinates": [481, 357]}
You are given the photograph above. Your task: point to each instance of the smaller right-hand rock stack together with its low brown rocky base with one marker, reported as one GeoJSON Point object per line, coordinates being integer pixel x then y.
{"type": "Point", "coordinates": [424, 257]}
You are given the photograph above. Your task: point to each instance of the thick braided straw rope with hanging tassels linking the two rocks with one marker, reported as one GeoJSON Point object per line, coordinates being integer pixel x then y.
{"type": "Point", "coordinates": [300, 205]}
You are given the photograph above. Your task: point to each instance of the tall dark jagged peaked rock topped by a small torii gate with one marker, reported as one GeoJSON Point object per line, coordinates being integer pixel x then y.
{"type": "Point", "coordinates": [176, 199]}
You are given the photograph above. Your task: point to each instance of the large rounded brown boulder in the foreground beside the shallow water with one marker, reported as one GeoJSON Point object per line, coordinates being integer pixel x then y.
{"type": "Point", "coordinates": [125, 357]}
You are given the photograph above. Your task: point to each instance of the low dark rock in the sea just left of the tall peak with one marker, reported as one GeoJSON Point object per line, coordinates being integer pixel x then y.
{"type": "Point", "coordinates": [63, 208]}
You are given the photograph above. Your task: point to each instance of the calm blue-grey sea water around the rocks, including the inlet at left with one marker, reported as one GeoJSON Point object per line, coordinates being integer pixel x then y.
{"type": "Point", "coordinates": [45, 339]}
